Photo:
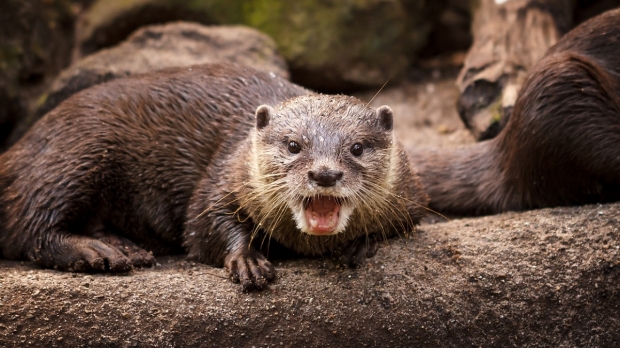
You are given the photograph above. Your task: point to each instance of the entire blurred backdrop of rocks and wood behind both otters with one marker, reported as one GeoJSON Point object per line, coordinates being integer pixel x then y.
{"type": "Point", "coordinates": [454, 66]}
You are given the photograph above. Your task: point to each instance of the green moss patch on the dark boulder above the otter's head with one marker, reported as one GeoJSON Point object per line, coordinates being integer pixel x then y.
{"type": "Point", "coordinates": [319, 32]}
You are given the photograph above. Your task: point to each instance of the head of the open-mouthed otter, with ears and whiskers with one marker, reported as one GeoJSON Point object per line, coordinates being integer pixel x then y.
{"type": "Point", "coordinates": [322, 157]}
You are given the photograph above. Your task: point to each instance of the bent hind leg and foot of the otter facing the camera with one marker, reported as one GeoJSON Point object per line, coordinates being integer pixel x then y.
{"type": "Point", "coordinates": [52, 219]}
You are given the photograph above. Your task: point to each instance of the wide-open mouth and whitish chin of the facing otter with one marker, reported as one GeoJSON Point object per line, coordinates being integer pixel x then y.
{"type": "Point", "coordinates": [322, 215]}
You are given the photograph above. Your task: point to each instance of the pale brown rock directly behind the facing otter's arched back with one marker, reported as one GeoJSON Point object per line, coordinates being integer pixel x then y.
{"type": "Point", "coordinates": [162, 46]}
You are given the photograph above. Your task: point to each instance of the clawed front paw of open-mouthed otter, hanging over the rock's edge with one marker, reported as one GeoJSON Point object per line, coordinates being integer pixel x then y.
{"type": "Point", "coordinates": [250, 268]}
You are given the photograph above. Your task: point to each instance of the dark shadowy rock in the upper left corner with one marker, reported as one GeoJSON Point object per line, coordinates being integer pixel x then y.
{"type": "Point", "coordinates": [35, 43]}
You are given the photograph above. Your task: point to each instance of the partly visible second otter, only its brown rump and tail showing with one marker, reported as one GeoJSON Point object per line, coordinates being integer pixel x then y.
{"type": "Point", "coordinates": [561, 145]}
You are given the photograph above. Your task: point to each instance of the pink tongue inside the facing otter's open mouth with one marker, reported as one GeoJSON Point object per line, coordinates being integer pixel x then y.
{"type": "Point", "coordinates": [322, 215]}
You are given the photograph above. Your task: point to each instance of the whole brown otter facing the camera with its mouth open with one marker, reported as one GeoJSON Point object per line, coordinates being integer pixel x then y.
{"type": "Point", "coordinates": [214, 160]}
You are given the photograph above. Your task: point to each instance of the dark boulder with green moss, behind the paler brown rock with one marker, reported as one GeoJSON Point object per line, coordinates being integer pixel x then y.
{"type": "Point", "coordinates": [329, 45]}
